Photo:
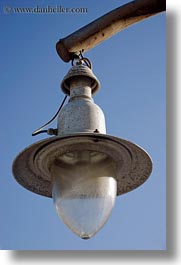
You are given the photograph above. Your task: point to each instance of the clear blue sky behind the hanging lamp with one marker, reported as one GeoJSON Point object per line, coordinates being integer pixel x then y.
{"type": "Point", "coordinates": [131, 69]}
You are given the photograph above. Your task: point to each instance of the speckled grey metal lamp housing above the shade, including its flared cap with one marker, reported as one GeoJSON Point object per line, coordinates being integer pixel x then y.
{"type": "Point", "coordinates": [81, 114]}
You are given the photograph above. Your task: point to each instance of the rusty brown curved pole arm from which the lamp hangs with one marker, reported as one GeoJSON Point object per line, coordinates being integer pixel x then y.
{"type": "Point", "coordinates": [106, 26]}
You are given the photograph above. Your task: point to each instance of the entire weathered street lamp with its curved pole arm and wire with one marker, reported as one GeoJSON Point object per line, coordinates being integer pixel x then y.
{"type": "Point", "coordinates": [82, 167]}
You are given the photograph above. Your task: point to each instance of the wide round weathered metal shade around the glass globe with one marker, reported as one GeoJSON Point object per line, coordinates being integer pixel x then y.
{"type": "Point", "coordinates": [32, 166]}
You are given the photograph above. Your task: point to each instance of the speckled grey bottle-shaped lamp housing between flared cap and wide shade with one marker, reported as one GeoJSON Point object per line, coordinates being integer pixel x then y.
{"type": "Point", "coordinates": [81, 114]}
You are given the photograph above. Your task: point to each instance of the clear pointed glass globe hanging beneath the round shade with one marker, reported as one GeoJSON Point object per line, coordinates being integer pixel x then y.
{"type": "Point", "coordinates": [84, 190]}
